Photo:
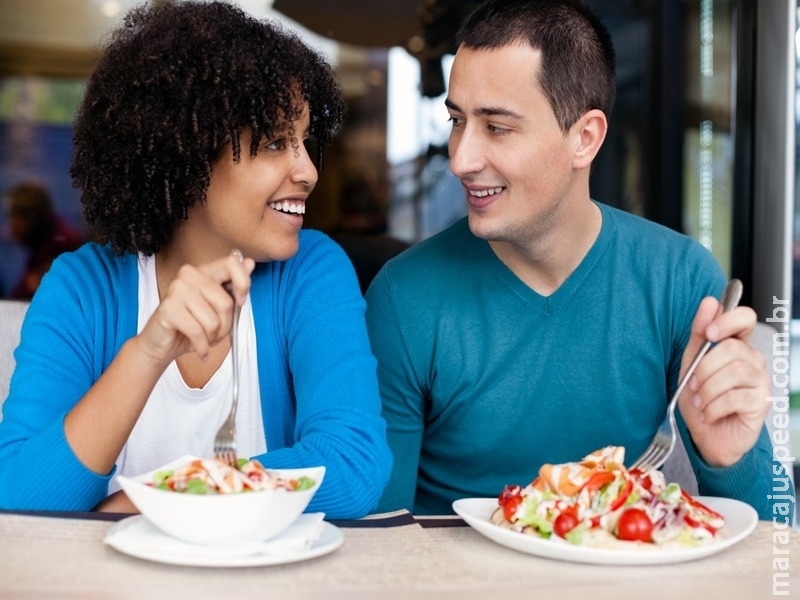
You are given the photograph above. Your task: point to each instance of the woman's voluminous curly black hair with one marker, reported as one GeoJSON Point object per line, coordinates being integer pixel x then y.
{"type": "Point", "coordinates": [176, 83]}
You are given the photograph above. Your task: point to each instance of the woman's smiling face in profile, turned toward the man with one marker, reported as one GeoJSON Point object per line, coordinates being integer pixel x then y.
{"type": "Point", "coordinates": [257, 204]}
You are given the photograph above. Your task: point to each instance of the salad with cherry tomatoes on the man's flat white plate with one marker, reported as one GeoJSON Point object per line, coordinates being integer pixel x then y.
{"type": "Point", "coordinates": [598, 502]}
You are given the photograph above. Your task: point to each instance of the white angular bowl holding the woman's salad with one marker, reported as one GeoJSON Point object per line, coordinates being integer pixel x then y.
{"type": "Point", "coordinates": [236, 517]}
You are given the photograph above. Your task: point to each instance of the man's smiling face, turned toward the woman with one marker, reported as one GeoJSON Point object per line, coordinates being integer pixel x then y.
{"type": "Point", "coordinates": [506, 147]}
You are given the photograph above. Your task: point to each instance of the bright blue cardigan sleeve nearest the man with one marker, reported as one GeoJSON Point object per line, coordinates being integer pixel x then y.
{"type": "Point", "coordinates": [332, 376]}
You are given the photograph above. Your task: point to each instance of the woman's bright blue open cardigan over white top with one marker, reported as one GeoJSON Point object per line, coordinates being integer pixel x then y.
{"type": "Point", "coordinates": [319, 390]}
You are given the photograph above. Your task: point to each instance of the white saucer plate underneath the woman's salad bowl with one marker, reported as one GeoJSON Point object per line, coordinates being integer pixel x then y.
{"type": "Point", "coordinates": [136, 536]}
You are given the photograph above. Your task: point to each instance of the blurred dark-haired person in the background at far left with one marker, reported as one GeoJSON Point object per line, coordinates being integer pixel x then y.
{"type": "Point", "coordinates": [36, 227]}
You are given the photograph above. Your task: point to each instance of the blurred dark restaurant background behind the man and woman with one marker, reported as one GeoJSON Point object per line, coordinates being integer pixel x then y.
{"type": "Point", "coordinates": [702, 138]}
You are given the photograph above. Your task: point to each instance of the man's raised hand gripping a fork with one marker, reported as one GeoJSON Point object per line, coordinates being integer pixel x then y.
{"type": "Point", "coordinates": [725, 403]}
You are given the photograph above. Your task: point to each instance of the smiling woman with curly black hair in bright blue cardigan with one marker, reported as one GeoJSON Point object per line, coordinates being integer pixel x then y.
{"type": "Point", "coordinates": [191, 142]}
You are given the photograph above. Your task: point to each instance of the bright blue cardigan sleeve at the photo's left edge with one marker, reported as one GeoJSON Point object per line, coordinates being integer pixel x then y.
{"type": "Point", "coordinates": [56, 363]}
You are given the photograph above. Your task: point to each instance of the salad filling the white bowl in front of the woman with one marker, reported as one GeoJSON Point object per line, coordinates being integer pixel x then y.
{"type": "Point", "coordinates": [212, 476]}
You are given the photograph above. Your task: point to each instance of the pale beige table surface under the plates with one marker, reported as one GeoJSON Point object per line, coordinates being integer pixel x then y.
{"type": "Point", "coordinates": [386, 557]}
